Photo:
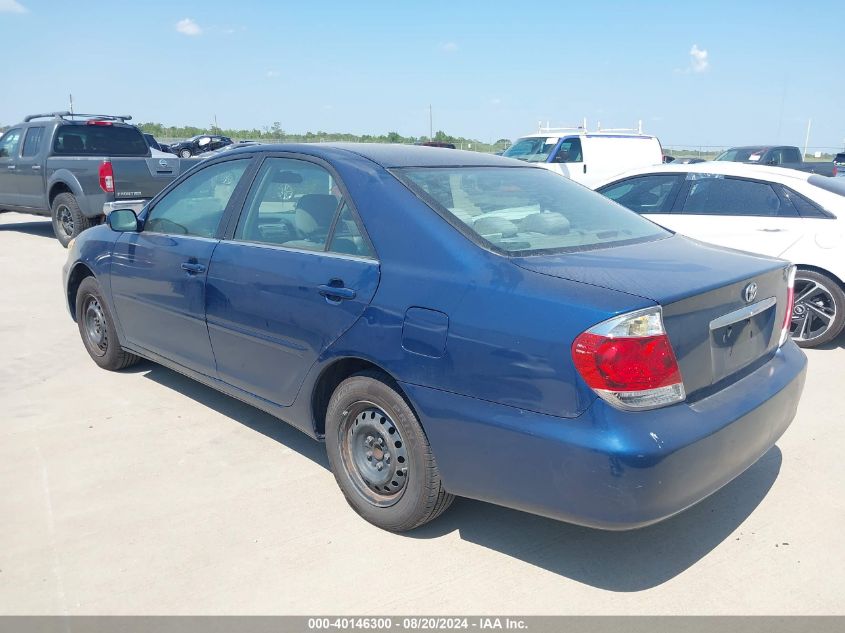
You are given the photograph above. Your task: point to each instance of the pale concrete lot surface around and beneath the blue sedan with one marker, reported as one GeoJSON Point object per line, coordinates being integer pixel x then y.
{"type": "Point", "coordinates": [143, 492]}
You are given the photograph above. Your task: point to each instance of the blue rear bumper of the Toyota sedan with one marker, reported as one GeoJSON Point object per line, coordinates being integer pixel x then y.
{"type": "Point", "coordinates": [610, 469]}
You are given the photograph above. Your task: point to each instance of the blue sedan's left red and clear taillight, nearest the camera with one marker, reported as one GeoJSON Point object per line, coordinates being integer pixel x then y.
{"type": "Point", "coordinates": [629, 362]}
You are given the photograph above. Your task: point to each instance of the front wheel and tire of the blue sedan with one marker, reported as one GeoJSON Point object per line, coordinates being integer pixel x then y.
{"type": "Point", "coordinates": [96, 327]}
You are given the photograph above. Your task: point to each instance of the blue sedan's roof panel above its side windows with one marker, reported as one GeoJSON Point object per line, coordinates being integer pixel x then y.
{"type": "Point", "coordinates": [390, 155]}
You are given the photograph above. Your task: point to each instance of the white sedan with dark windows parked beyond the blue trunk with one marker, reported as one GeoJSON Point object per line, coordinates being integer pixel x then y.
{"type": "Point", "coordinates": [768, 210]}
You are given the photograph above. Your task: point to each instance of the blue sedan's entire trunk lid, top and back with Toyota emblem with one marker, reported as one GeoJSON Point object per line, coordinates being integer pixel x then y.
{"type": "Point", "coordinates": [718, 332]}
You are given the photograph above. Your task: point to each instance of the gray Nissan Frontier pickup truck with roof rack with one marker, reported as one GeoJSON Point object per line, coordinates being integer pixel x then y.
{"type": "Point", "coordinates": [76, 168]}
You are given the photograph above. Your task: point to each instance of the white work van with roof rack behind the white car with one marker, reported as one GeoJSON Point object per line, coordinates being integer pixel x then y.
{"type": "Point", "coordinates": [588, 157]}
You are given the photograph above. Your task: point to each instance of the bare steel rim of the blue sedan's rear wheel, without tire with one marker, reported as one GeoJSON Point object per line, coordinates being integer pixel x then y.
{"type": "Point", "coordinates": [374, 454]}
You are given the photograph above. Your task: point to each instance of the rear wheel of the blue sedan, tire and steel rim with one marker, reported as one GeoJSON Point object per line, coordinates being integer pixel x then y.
{"type": "Point", "coordinates": [413, 494]}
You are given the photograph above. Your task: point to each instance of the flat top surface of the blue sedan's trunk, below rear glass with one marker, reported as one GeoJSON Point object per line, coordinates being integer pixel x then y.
{"type": "Point", "coordinates": [664, 270]}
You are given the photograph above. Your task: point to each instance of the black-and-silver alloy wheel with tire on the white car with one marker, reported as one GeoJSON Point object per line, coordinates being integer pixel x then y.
{"type": "Point", "coordinates": [816, 295]}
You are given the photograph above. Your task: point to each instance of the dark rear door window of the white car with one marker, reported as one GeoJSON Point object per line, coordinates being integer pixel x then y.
{"type": "Point", "coordinates": [732, 196]}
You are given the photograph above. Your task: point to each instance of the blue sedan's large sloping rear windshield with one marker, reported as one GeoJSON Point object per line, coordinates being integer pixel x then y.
{"type": "Point", "coordinates": [526, 211]}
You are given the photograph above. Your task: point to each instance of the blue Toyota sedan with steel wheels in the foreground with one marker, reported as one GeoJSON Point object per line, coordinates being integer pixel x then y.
{"type": "Point", "coordinates": [452, 323]}
